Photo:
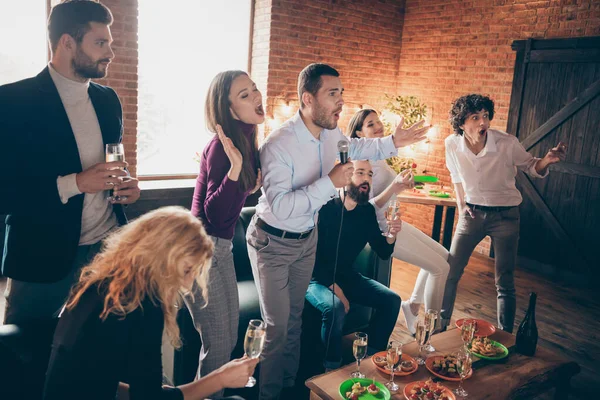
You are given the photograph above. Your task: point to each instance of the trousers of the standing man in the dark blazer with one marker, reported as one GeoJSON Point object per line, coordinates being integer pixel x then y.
{"type": "Point", "coordinates": [31, 301]}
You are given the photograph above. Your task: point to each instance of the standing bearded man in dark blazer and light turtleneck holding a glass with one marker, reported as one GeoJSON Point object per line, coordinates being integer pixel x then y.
{"type": "Point", "coordinates": [53, 129]}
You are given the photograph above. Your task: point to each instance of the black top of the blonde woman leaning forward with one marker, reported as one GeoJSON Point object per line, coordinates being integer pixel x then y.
{"type": "Point", "coordinates": [90, 356]}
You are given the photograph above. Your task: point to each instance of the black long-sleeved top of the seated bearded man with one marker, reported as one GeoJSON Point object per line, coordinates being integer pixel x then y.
{"type": "Point", "coordinates": [359, 228]}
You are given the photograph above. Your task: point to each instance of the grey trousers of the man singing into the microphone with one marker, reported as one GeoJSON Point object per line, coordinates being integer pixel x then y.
{"type": "Point", "coordinates": [282, 269]}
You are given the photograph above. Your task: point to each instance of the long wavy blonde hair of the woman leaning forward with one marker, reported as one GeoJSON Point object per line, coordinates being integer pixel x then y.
{"type": "Point", "coordinates": [147, 258]}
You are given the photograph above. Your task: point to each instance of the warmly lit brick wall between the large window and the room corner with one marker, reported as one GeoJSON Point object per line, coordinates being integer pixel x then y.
{"type": "Point", "coordinates": [361, 39]}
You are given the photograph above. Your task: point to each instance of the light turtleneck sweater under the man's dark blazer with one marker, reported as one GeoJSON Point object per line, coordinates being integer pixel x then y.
{"type": "Point", "coordinates": [98, 217]}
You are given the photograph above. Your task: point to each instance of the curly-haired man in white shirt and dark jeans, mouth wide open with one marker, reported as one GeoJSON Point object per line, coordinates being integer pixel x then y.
{"type": "Point", "coordinates": [483, 164]}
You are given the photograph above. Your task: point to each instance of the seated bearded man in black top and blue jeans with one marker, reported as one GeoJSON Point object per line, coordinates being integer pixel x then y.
{"type": "Point", "coordinates": [359, 227]}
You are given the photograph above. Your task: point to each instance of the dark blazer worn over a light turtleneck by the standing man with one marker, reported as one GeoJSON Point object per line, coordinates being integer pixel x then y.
{"type": "Point", "coordinates": [38, 145]}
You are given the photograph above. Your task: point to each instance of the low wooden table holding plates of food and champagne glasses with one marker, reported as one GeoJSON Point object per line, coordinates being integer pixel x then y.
{"type": "Point", "coordinates": [515, 377]}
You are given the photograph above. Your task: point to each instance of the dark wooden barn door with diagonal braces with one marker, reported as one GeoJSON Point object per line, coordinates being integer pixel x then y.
{"type": "Point", "coordinates": [556, 97]}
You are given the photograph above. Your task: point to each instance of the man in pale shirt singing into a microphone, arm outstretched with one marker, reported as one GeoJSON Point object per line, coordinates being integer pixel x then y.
{"type": "Point", "coordinates": [299, 177]}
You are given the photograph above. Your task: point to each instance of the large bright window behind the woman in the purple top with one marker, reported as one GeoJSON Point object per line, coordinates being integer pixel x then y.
{"type": "Point", "coordinates": [182, 45]}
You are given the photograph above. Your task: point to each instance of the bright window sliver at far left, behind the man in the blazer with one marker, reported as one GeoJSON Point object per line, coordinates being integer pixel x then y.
{"type": "Point", "coordinates": [23, 47]}
